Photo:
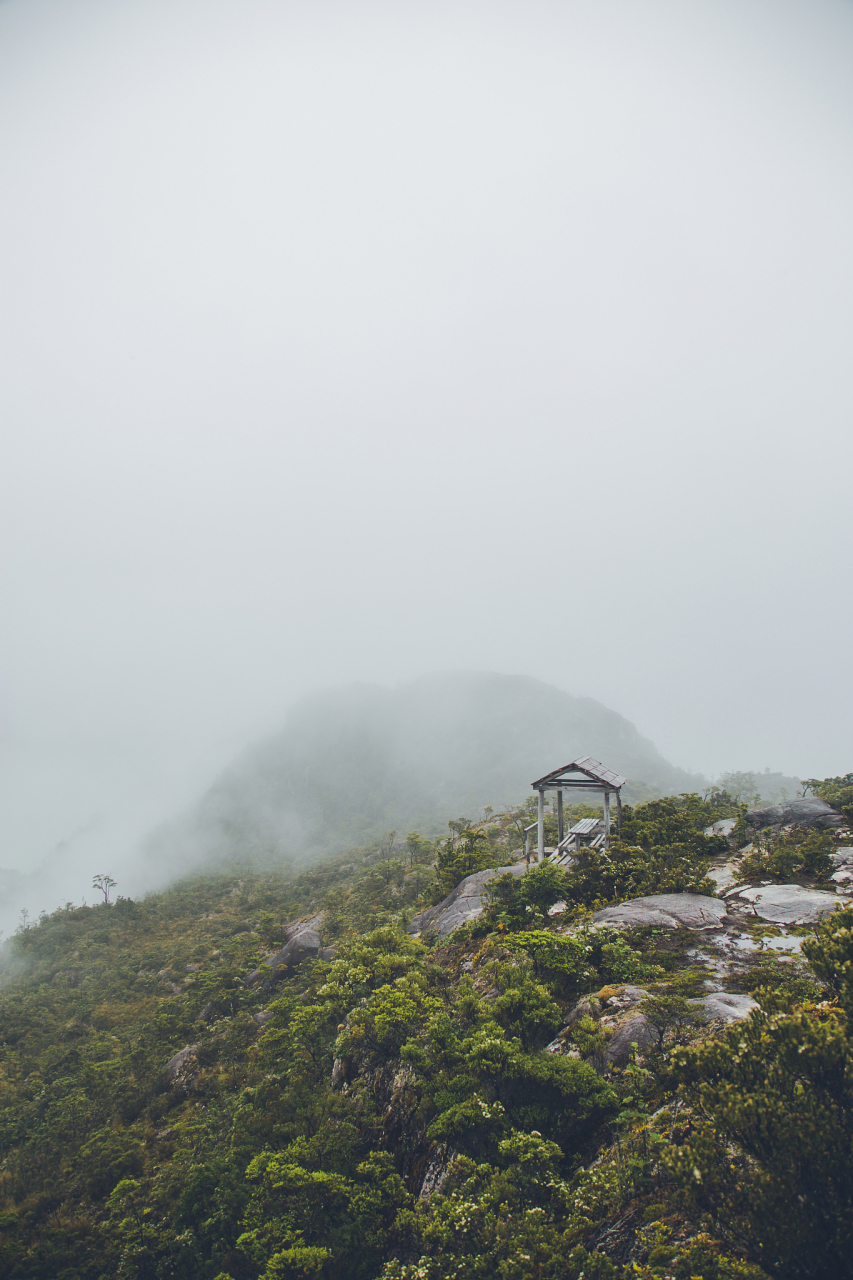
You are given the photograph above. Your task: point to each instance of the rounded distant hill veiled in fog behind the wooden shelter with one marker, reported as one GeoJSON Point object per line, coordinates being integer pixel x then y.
{"type": "Point", "coordinates": [357, 762]}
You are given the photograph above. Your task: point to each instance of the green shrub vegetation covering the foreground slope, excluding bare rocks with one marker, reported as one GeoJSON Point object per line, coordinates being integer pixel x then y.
{"type": "Point", "coordinates": [393, 1112]}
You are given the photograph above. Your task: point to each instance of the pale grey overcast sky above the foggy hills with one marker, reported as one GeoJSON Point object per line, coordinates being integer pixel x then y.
{"type": "Point", "coordinates": [354, 341]}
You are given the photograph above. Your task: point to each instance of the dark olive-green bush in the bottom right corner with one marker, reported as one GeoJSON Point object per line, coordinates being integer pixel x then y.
{"type": "Point", "coordinates": [769, 1155]}
